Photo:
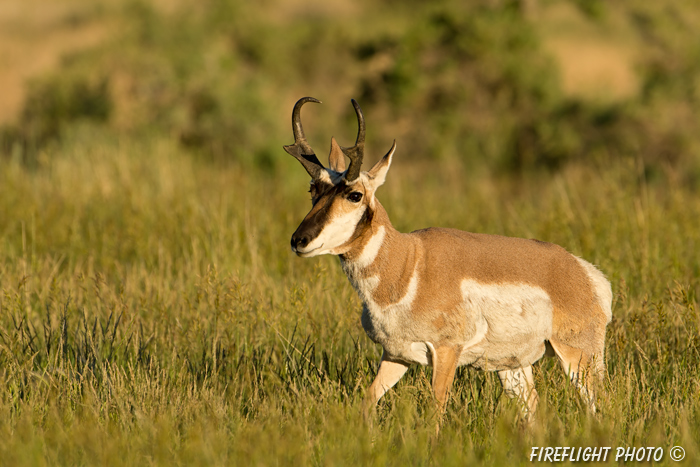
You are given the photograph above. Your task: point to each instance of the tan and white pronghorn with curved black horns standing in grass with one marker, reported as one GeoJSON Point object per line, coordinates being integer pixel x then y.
{"type": "Point", "coordinates": [444, 297]}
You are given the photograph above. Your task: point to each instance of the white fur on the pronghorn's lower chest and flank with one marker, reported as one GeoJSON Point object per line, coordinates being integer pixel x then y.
{"type": "Point", "coordinates": [508, 326]}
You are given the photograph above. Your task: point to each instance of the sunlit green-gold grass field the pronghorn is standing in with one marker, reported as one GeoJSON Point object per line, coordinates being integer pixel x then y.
{"type": "Point", "coordinates": [151, 312]}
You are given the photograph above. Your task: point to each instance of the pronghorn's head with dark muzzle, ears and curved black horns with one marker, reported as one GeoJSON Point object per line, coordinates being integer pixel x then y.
{"type": "Point", "coordinates": [342, 199]}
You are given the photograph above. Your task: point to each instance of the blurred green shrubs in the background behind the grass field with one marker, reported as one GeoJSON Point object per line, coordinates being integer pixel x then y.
{"type": "Point", "coordinates": [448, 79]}
